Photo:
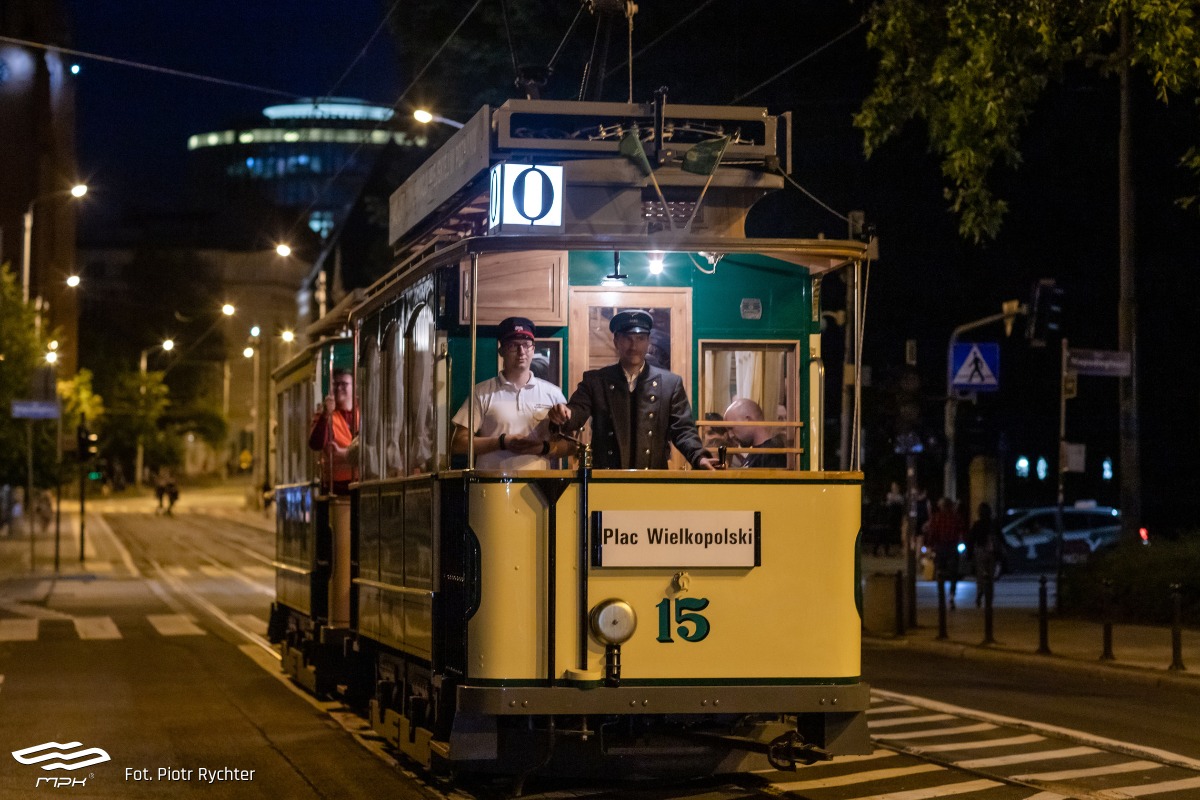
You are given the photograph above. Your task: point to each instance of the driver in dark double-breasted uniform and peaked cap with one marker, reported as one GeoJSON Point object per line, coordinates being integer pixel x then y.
{"type": "Point", "coordinates": [638, 411]}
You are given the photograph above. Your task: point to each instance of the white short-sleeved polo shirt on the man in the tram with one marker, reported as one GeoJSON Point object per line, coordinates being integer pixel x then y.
{"type": "Point", "coordinates": [501, 407]}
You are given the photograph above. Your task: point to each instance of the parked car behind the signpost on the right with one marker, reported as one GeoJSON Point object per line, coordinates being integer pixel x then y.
{"type": "Point", "coordinates": [1030, 536]}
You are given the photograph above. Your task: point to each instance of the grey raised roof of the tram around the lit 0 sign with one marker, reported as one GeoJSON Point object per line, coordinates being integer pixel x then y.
{"type": "Point", "coordinates": [610, 201]}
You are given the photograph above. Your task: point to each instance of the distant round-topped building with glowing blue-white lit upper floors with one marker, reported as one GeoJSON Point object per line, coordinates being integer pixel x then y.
{"type": "Point", "coordinates": [311, 158]}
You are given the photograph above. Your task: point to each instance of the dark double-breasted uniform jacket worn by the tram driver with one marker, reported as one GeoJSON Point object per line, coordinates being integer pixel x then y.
{"type": "Point", "coordinates": [633, 430]}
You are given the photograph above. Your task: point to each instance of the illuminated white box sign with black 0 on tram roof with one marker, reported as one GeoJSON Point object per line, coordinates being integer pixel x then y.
{"type": "Point", "coordinates": [526, 199]}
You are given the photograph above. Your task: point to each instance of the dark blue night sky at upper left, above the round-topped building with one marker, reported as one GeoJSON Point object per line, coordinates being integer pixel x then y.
{"type": "Point", "coordinates": [134, 124]}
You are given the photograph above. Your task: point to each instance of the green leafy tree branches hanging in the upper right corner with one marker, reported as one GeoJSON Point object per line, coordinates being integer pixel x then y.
{"type": "Point", "coordinates": [974, 70]}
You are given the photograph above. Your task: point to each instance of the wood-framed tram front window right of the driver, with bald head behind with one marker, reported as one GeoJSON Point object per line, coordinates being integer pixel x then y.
{"type": "Point", "coordinates": [766, 374]}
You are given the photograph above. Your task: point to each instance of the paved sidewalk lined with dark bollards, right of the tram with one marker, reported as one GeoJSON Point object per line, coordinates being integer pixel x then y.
{"type": "Point", "coordinates": [1142, 653]}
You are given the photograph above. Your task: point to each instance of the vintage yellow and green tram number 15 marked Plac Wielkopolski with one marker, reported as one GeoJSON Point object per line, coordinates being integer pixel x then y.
{"type": "Point", "coordinates": [575, 618]}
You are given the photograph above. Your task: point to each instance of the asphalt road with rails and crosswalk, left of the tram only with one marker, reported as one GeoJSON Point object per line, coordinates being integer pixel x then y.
{"type": "Point", "coordinates": [164, 673]}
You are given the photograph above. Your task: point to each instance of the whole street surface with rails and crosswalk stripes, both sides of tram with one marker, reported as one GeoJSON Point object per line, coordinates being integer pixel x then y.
{"type": "Point", "coordinates": [155, 657]}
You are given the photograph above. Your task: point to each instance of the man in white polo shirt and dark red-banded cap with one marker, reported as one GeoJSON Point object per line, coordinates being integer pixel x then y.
{"type": "Point", "coordinates": [512, 431]}
